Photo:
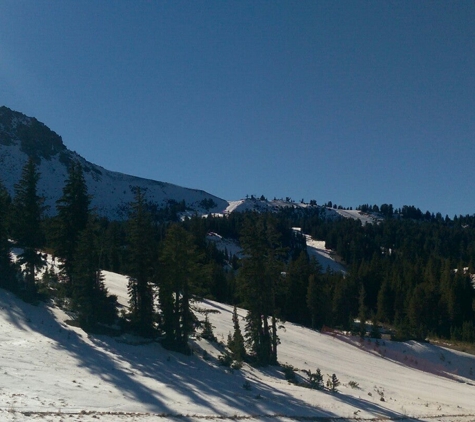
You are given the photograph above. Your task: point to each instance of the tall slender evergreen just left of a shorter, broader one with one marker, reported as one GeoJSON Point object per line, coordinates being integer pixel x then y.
{"type": "Point", "coordinates": [140, 270]}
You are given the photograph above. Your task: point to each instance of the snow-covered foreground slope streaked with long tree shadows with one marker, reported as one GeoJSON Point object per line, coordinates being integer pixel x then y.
{"type": "Point", "coordinates": [52, 371]}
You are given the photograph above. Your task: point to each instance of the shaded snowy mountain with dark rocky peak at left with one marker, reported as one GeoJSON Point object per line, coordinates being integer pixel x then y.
{"type": "Point", "coordinates": [22, 137]}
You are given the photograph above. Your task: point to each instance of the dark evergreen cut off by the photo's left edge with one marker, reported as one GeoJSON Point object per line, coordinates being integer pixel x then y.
{"type": "Point", "coordinates": [7, 272]}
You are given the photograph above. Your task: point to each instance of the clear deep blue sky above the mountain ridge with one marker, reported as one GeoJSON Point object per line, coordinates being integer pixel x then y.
{"type": "Point", "coordinates": [350, 101]}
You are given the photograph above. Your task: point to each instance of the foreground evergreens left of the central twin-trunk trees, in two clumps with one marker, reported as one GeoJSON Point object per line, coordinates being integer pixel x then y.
{"type": "Point", "coordinates": [171, 273]}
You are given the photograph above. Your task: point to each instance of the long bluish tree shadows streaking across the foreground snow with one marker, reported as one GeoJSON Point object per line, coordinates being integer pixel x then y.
{"type": "Point", "coordinates": [216, 390]}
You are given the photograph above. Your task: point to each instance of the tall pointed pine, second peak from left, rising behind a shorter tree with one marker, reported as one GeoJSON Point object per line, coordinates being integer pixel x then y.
{"type": "Point", "coordinates": [72, 218]}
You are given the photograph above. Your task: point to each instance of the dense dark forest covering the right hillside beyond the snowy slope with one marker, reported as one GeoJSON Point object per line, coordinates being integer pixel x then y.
{"type": "Point", "coordinates": [411, 274]}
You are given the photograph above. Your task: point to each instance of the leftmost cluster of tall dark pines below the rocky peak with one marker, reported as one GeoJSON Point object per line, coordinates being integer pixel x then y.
{"type": "Point", "coordinates": [72, 236]}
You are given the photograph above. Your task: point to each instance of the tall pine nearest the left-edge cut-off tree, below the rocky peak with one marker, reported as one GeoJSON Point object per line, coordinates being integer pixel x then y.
{"type": "Point", "coordinates": [28, 208]}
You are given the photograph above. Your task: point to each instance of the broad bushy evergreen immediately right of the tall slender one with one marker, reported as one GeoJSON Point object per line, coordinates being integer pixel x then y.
{"type": "Point", "coordinates": [181, 274]}
